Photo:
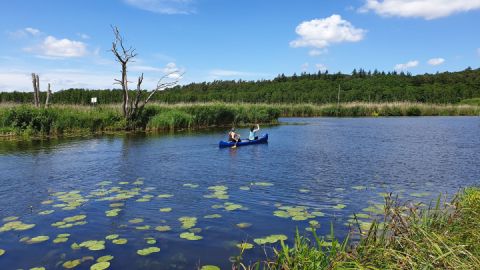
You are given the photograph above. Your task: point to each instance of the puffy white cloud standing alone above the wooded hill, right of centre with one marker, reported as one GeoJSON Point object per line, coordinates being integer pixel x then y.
{"type": "Point", "coordinates": [321, 33]}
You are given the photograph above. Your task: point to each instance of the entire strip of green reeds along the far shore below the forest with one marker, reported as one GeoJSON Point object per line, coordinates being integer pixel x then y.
{"type": "Point", "coordinates": [26, 121]}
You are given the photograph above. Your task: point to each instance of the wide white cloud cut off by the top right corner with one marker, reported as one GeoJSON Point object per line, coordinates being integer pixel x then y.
{"type": "Point", "coordinates": [427, 9]}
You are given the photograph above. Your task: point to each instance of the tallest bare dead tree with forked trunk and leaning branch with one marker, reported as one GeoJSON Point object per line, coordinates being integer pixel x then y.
{"type": "Point", "coordinates": [133, 107]}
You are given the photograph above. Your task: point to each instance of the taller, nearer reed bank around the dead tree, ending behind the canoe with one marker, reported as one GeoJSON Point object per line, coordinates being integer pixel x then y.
{"type": "Point", "coordinates": [70, 119]}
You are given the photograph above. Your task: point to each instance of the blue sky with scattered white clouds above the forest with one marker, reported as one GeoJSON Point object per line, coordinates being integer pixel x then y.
{"type": "Point", "coordinates": [68, 42]}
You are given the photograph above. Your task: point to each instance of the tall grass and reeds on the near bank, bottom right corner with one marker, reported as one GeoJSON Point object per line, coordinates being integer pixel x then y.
{"type": "Point", "coordinates": [445, 235]}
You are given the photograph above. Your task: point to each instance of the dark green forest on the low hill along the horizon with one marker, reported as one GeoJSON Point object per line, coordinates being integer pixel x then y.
{"type": "Point", "coordinates": [318, 88]}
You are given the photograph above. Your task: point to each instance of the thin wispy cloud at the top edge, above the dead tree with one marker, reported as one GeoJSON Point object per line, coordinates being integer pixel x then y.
{"type": "Point", "coordinates": [164, 6]}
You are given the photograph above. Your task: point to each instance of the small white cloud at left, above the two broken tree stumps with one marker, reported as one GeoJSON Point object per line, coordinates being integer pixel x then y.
{"type": "Point", "coordinates": [53, 48]}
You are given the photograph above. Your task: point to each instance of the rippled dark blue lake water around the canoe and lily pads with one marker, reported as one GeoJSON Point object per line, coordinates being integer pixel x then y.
{"type": "Point", "coordinates": [333, 161]}
